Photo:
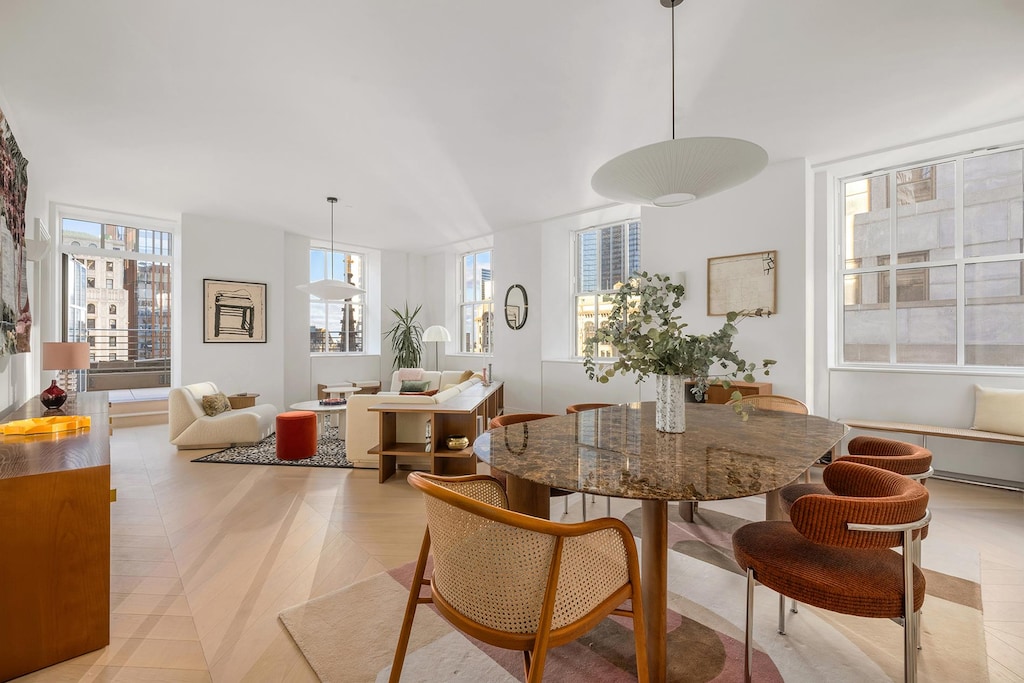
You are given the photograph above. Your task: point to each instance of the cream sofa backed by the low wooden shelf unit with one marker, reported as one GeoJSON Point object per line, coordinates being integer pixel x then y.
{"type": "Point", "coordinates": [363, 425]}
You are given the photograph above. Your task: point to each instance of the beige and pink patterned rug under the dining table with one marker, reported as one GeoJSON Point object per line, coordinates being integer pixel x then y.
{"type": "Point", "coordinates": [350, 635]}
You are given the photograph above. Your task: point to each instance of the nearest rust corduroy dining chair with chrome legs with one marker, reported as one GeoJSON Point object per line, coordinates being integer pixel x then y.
{"type": "Point", "coordinates": [836, 553]}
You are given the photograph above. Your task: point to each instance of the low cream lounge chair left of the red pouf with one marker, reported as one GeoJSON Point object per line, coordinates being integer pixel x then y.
{"type": "Point", "coordinates": [192, 429]}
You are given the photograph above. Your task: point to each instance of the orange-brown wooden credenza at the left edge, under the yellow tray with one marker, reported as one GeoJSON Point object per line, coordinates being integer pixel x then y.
{"type": "Point", "coordinates": [55, 540]}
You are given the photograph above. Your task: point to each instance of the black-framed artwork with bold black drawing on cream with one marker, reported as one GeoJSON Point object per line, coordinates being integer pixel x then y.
{"type": "Point", "coordinates": [234, 312]}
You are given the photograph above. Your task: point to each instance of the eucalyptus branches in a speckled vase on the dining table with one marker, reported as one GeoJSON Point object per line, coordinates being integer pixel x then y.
{"type": "Point", "coordinates": [646, 335]}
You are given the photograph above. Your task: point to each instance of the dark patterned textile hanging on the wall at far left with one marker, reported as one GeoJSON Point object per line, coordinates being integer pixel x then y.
{"type": "Point", "coordinates": [17, 321]}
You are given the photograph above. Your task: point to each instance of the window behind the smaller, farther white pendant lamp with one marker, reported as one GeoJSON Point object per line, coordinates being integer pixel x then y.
{"type": "Point", "coordinates": [336, 327]}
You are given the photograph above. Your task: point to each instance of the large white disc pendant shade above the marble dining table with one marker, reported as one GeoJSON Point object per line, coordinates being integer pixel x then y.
{"type": "Point", "coordinates": [679, 172]}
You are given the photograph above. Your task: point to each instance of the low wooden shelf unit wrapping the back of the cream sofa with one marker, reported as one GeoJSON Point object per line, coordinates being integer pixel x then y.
{"type": "Point", "coordinates": [459, 415]}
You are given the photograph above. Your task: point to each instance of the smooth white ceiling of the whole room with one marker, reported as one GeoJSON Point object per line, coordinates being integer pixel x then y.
{"type": "Point", "coordinates": [443, 120]}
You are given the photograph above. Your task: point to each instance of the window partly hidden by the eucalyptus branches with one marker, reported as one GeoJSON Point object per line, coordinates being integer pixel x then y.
{"type": "Point", "coordinates": [606, 257]}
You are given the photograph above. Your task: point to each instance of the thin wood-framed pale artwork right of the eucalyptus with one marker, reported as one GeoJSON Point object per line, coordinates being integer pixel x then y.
{"type": "Point", "coordinates": [742, 282]}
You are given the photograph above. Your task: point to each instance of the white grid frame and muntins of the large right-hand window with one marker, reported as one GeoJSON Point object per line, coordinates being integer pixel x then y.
{"type": "Point", "coordinates": [959, 261]}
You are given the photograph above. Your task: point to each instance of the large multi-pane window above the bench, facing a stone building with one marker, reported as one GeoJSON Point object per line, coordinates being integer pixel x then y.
{"type": "Point", "coordinates": [938, 279]}
